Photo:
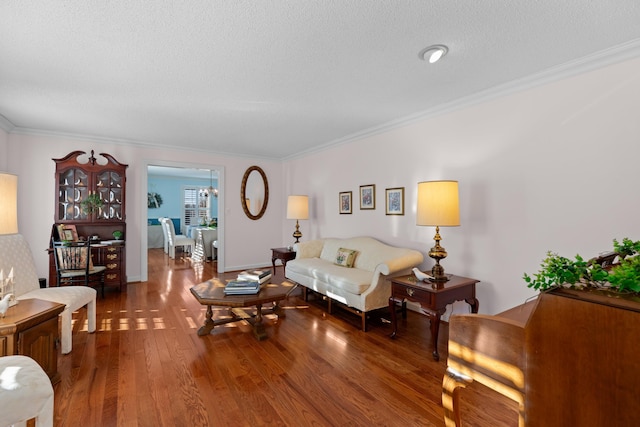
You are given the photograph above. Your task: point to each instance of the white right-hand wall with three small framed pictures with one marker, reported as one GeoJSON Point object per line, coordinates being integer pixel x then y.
{"type": "Point", "coordinates": [549, 168]}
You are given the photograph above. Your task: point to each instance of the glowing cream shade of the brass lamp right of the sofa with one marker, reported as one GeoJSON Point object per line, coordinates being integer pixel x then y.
{"type": "Point", "coordinates": [438, 204]}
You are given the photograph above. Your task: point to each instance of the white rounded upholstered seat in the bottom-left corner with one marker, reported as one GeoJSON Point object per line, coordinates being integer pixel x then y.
{"type": "Point", "coordinates": [25, 392]}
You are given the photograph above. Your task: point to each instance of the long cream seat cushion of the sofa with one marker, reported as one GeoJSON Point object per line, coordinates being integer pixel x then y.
{"type": "Point", "coordinates": [352, 280]}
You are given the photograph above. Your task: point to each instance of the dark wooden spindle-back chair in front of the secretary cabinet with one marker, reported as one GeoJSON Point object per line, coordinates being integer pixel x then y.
{"type": "Point", "coordinates": [75, 266]}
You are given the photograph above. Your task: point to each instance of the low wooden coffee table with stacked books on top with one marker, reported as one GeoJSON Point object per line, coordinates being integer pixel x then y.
{"type": "Point", "coordinates": [211, 293]}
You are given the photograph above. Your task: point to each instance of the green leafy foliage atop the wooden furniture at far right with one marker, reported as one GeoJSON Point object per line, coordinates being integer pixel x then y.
{"type": "Point", "coordinates": [556, 270]}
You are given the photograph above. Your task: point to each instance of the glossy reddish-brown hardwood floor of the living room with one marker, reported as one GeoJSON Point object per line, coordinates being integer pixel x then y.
{"type": "Point", "coordinates": [146, 366]}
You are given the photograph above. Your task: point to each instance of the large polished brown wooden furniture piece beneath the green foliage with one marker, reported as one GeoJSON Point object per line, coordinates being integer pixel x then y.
{"type": "Point", "coordinates": [572, 361]}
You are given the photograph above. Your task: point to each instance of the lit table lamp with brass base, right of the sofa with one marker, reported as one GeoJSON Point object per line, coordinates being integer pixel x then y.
{"type": "Point", "coordinates": [438, 206]}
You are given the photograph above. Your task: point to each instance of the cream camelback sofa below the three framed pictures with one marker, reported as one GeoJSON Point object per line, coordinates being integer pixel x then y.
{"type": "Point", "coordinates": [362, 288]}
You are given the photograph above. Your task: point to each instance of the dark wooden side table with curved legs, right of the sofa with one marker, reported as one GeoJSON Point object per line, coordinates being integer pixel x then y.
{"type": "Point", "coordinates": [433, 298]}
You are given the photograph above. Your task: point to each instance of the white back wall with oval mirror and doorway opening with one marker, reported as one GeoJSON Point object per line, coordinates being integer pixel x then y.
{"type": "Point", "coordinates": [247, 242]}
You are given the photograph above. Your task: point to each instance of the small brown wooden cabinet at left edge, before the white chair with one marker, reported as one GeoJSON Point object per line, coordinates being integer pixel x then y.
{"type": "Point", "coordinates": [30, 328]}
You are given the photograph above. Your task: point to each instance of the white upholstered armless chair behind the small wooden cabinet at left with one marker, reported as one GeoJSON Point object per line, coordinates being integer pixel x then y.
{"type": "Point", "coordinates": [15, 253]}
